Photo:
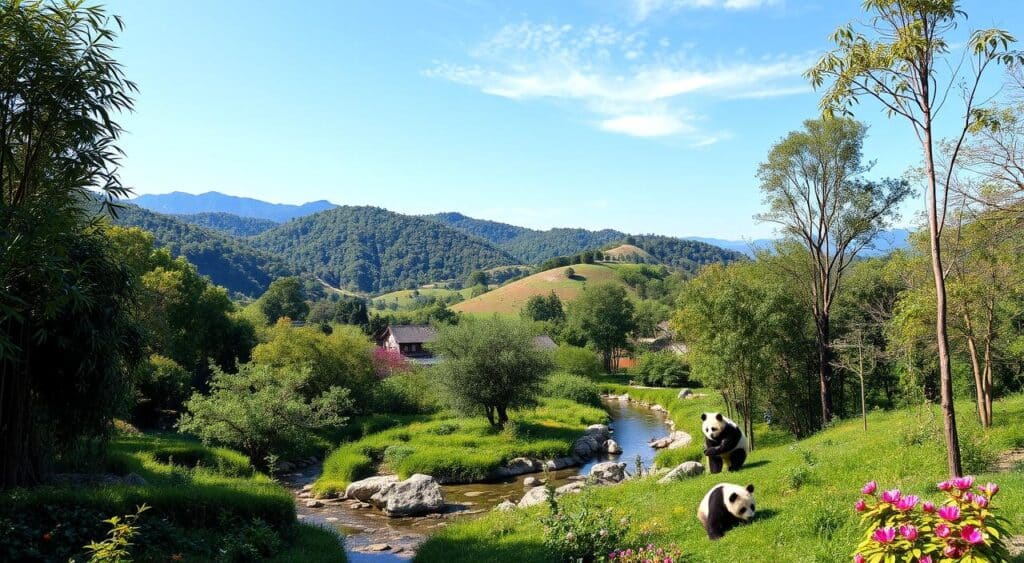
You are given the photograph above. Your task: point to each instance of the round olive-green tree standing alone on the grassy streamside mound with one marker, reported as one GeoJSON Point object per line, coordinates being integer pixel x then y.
{"type": "Point", "coordinates": [491, 365]}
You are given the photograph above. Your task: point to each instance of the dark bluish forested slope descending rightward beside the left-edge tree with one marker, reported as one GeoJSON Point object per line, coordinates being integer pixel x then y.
{"type": "Point", "coordinates": [228, 262]}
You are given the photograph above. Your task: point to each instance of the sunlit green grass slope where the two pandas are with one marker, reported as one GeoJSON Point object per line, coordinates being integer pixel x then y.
{"type": "Point", "coordinates": [805, 492]}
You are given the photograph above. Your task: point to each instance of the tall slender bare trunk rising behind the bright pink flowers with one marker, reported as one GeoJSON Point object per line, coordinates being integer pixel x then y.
{"type": "Point", "coordinates": [942, 323]}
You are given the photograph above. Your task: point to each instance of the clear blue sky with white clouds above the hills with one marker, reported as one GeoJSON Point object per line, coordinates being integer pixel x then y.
{"type": "Point", "coordinates": [646, 116]}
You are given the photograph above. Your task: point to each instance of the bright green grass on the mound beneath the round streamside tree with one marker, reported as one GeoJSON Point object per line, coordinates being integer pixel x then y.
{"type": "Point", "coordinates": [448, 447]}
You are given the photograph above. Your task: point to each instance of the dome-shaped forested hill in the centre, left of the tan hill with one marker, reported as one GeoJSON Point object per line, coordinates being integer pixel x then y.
{"type": "Point", "coordinates": [372, 250]}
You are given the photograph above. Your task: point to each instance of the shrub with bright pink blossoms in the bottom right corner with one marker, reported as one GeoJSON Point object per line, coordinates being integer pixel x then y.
{"type": "Point", "coordinates": [961, 528]}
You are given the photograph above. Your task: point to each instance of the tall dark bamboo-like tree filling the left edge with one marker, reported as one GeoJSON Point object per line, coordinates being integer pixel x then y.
{"type": "Point", "coordinates": [67, 343]}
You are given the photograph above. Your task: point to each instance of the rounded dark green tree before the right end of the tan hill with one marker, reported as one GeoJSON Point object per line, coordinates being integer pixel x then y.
{"type": "Point", "coordinates": [605, 315]}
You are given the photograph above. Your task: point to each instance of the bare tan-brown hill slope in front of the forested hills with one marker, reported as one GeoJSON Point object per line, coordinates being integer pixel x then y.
{"type": "Point", "coordinates": [509, 299]}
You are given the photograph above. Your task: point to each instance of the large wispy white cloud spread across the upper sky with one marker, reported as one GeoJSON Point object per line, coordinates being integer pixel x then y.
{"type": "Point", "coordinates": [623, 81]}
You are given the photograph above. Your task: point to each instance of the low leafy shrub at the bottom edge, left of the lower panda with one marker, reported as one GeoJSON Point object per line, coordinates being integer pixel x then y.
{"type": "Point", "coordinates": [582, 535]}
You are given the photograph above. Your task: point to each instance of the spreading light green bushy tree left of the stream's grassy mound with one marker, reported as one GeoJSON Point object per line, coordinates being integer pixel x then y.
{"type": "Point", "coordinates": [264, 411]}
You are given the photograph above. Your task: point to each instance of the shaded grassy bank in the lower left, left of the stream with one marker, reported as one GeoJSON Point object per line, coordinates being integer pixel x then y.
{"type": "Point", "coordinates": [207, 504]}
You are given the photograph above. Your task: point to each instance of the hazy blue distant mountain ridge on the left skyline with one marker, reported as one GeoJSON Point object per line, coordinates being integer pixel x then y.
{"type": "Point", "coordinates": [181, 203]}
